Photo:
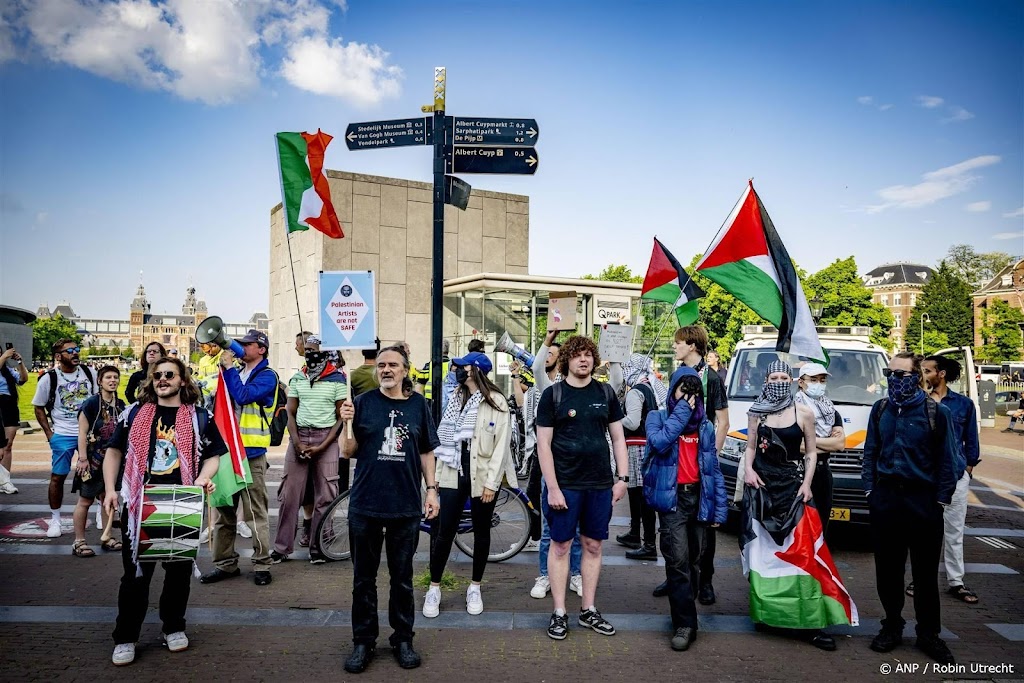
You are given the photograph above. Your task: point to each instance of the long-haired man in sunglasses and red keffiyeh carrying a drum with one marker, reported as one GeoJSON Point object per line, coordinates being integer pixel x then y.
{"type": "Point", "coordinates": [165, 441]}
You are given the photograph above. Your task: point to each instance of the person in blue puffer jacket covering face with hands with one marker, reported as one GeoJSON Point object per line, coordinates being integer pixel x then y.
{"type": "Point", "coordinates": [684, 482]}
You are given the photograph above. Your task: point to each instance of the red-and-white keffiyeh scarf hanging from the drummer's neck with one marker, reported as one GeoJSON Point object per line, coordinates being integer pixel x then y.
{"type": "Point", "coordinates": [137, 462]}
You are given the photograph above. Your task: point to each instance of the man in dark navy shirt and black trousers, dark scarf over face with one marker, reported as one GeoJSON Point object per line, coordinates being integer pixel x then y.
{"type": "Point", "coordinates": [911, 469]}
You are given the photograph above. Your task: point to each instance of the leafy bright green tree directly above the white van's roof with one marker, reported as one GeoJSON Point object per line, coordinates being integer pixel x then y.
{"type": "Point", "coordinates": [847, 302]}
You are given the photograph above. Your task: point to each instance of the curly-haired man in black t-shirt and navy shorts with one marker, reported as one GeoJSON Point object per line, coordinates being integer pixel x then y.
{"type": "Point", "coordinates": [574, 418]}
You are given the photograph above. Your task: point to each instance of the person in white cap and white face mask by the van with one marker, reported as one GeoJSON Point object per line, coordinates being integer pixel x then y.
{"type": "Point", "coordinates": [829, 433]}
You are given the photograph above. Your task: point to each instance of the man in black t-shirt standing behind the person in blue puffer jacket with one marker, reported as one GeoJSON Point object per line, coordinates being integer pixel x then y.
{"type": "Point", "coordinates": [692, 345]}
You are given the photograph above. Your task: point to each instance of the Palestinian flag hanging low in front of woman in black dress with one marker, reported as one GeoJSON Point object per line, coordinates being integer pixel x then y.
{"type": "Point", "coordinates": [794, 581]}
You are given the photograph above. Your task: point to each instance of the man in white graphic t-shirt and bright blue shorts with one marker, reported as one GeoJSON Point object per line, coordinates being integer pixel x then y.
{"type": "Point", "coordinates": [60, 395]}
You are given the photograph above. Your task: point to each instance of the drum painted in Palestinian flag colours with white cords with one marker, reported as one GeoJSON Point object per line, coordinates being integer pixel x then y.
{"type": "Point", "coordinates": [172, 521]}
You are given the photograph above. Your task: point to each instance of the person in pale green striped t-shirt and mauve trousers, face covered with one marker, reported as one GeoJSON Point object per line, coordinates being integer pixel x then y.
{"type": "Point", "coordinates": [315, 398]}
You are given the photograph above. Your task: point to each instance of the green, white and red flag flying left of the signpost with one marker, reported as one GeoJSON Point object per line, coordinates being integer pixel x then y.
{"type": "Point", "coordinates": [304, 186]}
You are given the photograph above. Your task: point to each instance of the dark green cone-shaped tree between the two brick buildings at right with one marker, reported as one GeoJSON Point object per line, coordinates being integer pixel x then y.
{"type": "Point", "coordinates": [947, 300]}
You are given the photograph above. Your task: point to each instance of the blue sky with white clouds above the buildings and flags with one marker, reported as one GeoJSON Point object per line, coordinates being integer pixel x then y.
{"type": "Point", "coordinates": [138, 136]}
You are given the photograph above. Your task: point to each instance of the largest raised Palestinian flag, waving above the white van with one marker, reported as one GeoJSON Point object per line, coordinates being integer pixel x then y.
{"type": "Point", "coordinates": [751, 263]}
